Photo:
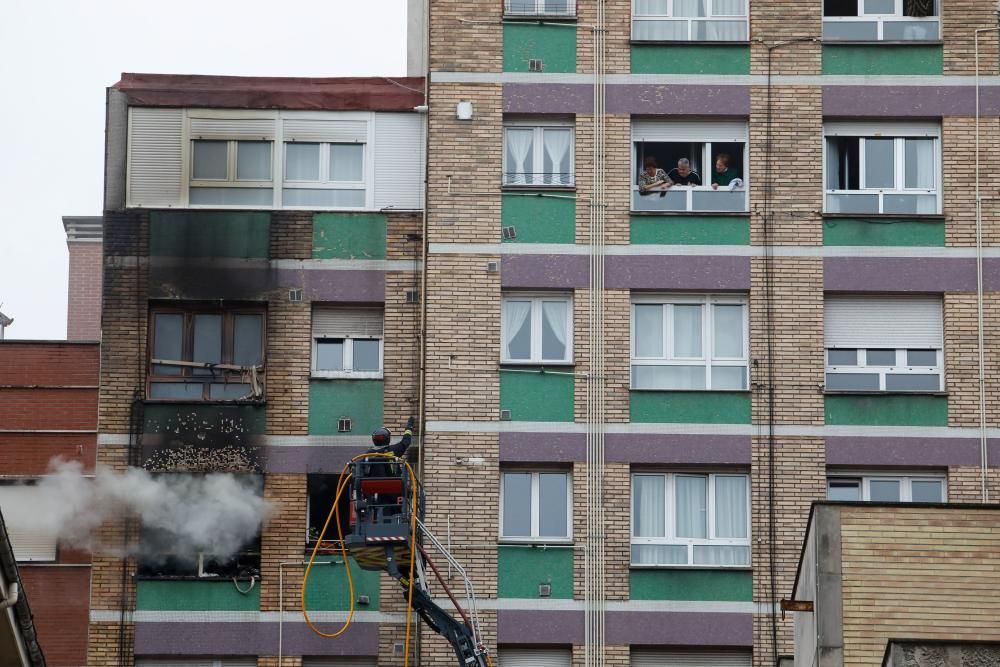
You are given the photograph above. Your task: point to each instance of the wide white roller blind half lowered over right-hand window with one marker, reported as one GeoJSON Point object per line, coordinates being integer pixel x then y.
{"type": "Point", "coordinates": [883, 322]}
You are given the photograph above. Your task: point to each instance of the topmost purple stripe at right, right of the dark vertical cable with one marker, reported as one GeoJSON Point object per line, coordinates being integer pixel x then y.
{"type": "Point", "coordinates": [908, 101]}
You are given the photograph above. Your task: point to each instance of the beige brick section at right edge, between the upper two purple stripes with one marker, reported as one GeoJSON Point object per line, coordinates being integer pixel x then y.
{"type": "Point", "coordinates": [958, 136]}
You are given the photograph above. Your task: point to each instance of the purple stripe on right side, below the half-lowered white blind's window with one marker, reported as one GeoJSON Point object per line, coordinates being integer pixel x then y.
{"type": "Point", "coordinates": [906, 452]}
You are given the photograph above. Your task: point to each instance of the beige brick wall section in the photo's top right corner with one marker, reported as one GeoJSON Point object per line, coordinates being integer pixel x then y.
{"type": "Point", "coordinates": [959, 20]}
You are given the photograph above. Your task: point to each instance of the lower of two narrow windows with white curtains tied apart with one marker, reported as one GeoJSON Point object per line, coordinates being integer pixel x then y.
{"type": "Point", "coordinates": [536, 328]}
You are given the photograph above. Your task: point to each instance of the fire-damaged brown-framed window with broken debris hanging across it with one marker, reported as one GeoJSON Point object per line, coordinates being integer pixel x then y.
{"type": "Point", "coordinates": [206, 354]}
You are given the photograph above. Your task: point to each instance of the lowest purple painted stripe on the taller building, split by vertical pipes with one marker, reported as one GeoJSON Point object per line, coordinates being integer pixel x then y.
{"type": "Point", "coordinates": [623, 627]}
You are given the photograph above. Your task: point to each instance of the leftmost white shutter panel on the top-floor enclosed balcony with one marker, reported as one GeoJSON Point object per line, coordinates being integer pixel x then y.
{"type": "Point", "coordinates": [154, 157]}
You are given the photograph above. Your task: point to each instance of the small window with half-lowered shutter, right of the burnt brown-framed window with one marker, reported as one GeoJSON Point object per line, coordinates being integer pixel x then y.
{"type": "Point", "coordinates": [347, 342]}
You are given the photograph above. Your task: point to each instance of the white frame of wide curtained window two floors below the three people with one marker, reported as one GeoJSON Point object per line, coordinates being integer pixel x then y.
{"type": "Point", "coordinates": [670, 529]}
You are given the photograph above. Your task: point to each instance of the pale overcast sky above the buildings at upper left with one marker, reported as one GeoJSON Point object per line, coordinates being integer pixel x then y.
{"type": "Point", "coordinates": [58, 56]}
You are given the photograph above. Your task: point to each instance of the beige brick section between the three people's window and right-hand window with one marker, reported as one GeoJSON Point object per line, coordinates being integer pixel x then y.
{"type": "Point", "coordinates": [796, 164]}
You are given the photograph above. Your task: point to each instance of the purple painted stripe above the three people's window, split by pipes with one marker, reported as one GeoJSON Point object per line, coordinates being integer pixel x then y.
{"type": "Point", "coordinates": [628, 99]}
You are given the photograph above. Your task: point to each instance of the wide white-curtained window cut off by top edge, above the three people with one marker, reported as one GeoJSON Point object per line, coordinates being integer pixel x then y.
{"type": "Point", "coordinates": [690, 20]}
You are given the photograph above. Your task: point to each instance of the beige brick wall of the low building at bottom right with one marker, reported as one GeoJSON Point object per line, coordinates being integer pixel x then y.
{"type": "Point", "coordinates": [907, 573]}
